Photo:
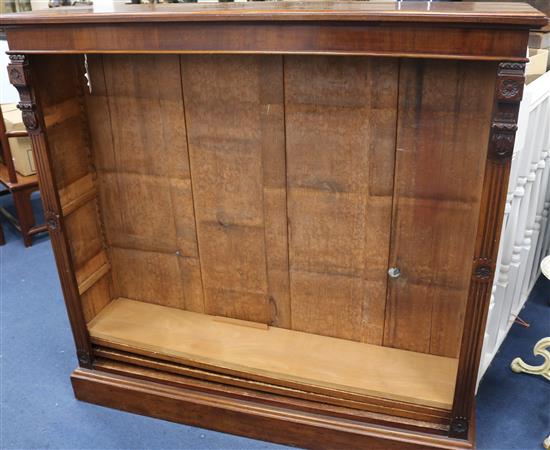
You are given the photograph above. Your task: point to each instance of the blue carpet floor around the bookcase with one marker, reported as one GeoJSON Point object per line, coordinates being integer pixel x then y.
{"type": "Point", "coordinates": [38, 410]}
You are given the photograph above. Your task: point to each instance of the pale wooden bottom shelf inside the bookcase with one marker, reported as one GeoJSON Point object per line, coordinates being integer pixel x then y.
{"type": "Point", "coordinates": [277, 355]}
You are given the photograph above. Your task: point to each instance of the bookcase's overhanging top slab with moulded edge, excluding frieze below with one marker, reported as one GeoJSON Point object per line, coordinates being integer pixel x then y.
{"type": "Point", "coordinates": [507, 14]}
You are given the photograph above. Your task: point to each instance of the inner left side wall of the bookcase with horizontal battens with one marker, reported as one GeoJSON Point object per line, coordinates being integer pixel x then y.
{"type": "Point", "coordinates": [61, 102]}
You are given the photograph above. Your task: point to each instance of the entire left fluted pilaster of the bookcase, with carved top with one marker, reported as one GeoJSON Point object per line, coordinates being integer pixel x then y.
{"type": "Point", "coordinates": [21, 74]}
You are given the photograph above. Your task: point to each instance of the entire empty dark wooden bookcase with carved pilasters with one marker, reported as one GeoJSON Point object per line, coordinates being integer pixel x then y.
{"type": "Point", "coordinates": [273, 219]}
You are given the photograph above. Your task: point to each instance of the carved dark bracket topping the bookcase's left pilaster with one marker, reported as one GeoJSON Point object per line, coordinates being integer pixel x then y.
{"type": "Point", "coordinates": [20, 77]}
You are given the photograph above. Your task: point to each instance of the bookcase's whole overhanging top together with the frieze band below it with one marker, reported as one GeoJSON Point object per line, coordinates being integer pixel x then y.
{"type": "Point", "coordinates": [475, 31]}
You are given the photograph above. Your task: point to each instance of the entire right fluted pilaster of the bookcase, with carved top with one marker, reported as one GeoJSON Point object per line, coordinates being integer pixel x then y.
{"type": "Point", "coordinates": [508, 93]}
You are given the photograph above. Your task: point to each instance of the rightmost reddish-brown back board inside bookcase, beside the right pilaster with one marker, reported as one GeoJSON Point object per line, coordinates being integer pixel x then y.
{"type": "Point", "coordinates": [445, 112]}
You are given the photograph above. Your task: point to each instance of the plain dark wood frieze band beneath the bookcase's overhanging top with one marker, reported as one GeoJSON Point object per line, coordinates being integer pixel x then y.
{"type": "Point", "coordinates": [304, 38]}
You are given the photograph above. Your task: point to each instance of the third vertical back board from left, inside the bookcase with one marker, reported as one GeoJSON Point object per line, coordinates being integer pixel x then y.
{"type": "Point", "coordinates": [340, 116]}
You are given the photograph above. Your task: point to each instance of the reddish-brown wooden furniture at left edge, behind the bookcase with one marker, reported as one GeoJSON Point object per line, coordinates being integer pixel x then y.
{"type": "Point", "coordinates": [20, 187]}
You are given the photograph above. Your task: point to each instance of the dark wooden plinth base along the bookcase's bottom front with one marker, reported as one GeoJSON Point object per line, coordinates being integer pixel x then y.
{"type": "Point", "coordinates": [251, 418]}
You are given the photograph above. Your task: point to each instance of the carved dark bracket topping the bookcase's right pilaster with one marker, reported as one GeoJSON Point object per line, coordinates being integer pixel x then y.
{"type": "Point", "coordinates": [509, 91]}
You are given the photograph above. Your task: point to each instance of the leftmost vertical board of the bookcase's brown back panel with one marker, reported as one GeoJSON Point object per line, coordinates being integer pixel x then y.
{"type": "Point", "coordinates": [147, 206]}
